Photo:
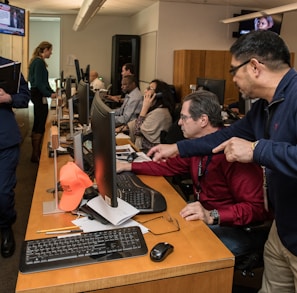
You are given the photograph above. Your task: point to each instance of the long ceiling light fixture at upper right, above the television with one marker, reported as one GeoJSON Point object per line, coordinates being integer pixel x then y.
{"type": "Point", "coordinates": [280, 9]}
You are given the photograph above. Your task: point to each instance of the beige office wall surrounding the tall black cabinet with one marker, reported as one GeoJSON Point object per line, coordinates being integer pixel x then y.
{"type": "Point", "coordinates": [163, 27]}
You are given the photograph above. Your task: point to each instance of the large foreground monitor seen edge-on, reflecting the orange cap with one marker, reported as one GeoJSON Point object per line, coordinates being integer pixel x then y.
{"type": "Point", "coordinates": [104, 150]}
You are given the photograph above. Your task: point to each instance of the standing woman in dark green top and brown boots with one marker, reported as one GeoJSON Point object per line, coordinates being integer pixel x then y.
{"type": "Point", "coordinates": [40, 90]}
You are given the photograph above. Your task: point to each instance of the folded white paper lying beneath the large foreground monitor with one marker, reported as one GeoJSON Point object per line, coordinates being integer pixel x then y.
{"type": "Point", "coordinates": [123, 212]}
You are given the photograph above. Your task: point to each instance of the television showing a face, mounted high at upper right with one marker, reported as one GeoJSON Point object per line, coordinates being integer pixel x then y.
{"type": "Point", "coordinates": [266, 22]}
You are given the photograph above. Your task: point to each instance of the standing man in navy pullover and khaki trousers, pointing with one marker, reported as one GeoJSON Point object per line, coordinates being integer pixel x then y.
{"type": "Point", "coordinates": [267, 135]}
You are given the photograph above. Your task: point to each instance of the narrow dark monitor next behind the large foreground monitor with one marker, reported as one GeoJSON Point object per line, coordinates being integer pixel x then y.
{"type": "Point", "coordinates": [83, 103]}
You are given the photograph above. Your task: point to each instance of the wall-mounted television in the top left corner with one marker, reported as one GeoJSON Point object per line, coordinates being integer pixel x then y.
{"type": "Point", "coordinates": [12, 20]}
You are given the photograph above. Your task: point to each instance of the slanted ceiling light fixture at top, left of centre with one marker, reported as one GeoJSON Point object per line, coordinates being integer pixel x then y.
{"type": "Point", "coordinates": [88, 9]}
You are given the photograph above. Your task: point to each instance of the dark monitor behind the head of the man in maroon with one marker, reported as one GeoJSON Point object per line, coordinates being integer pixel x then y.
{"type": "Point", "coordinates": [216, 86]}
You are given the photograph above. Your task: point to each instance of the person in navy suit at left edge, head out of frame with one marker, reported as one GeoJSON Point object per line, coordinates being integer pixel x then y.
{"type": "Point", "coordinates": [10, 138]}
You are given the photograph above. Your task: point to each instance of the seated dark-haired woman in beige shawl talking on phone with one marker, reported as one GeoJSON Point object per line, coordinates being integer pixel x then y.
{"type": "Point", "coordinates": [155, 115]}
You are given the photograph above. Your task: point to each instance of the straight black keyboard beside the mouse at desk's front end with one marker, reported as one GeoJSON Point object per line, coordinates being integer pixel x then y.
{"type": "Point", "coordinates": [76, 250]}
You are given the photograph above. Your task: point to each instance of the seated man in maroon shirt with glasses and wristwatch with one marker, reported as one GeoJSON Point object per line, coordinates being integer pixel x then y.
{"type": "Point", "coordinates": [229, 196]}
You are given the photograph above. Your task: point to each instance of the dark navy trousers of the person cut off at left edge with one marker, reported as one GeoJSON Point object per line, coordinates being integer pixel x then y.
{"type": "Point", "coordinates": [9, 159]}
